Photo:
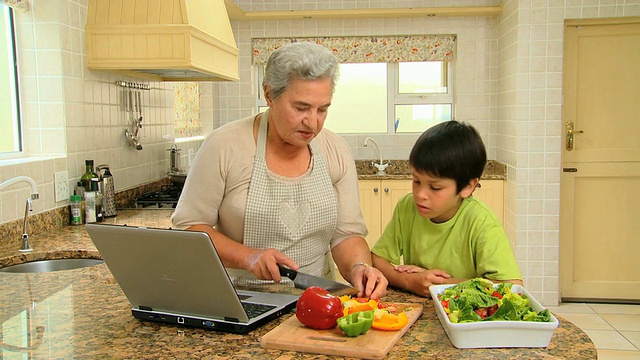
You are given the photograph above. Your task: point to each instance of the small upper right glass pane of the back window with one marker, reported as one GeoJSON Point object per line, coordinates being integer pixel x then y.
{"type": "Point", "coordinates": [422, 78]}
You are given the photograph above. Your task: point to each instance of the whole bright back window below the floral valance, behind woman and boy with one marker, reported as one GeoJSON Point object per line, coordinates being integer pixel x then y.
{"type": "Point", "coordinates": [388, 98]}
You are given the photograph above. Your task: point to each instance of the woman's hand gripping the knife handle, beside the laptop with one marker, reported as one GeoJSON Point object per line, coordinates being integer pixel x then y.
{"type": "Point", "coordinates": [263, 263]}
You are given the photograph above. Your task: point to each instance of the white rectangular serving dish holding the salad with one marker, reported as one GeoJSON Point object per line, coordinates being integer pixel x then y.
{"type": "Point", "coordinates": [496, 334]}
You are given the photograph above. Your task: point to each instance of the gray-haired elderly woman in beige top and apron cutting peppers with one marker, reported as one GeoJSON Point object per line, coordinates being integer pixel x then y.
{"type": "Point", "coordinates": [276, 189]}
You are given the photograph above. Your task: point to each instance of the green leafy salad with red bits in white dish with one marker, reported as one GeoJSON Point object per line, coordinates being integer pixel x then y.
{"type": "Point", "coordinates": [478, 300]}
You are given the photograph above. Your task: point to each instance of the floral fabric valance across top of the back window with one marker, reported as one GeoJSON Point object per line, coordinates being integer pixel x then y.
{"type": "Point", "coordinates": [365, 49]}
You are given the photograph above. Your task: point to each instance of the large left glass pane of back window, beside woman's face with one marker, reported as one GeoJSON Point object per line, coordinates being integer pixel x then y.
{"type": "Point", "coordinates": [359, 103]}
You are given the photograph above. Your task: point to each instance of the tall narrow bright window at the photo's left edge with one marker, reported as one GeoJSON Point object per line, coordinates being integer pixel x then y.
{"type": "Point", "coordinates": [10, 140]}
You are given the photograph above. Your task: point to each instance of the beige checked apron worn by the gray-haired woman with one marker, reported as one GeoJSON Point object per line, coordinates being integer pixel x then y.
{"type": "Point", "coordinates": [296, 216]}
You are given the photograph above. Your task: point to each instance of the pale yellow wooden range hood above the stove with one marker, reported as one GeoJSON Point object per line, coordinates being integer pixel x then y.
{"type": "Point", "coordinates": [162, 40]}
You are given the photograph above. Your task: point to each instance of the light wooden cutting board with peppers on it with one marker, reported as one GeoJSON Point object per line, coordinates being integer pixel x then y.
{"type": "Point", "coordinates": [375, 344]}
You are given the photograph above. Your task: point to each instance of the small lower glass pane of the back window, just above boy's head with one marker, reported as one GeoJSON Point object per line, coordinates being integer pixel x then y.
{"type": "Point", "coordinates": [418, 118]}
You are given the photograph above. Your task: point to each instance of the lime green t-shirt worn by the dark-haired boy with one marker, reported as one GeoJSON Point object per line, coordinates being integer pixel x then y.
{"type": "Point", "coordinates": [471, 244]}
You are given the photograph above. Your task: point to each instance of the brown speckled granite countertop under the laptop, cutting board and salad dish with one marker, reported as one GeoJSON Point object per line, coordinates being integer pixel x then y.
{"type": "Point", "coordinates": [83, 313]}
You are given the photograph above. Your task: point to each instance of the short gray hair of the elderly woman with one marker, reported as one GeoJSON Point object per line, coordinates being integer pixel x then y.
{"type": "Point", "coordinates": [299, 60]}
